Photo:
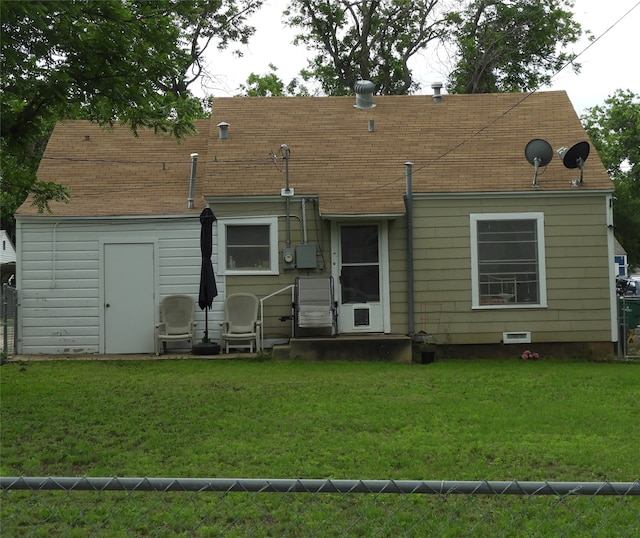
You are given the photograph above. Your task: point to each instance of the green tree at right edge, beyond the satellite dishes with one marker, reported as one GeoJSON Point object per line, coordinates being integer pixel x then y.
{"type": "Point", "coordinates": [614, 129]}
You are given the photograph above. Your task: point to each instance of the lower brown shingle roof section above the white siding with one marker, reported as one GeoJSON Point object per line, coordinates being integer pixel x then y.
{"type": "Point", "coordinates": [112, 172]}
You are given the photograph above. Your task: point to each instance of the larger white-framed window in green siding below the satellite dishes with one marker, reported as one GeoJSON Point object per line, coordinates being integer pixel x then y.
{"type": "Point", "coordinates": [507, 260]}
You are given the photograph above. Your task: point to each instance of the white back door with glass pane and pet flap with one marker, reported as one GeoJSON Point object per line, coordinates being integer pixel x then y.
{"type": "Point", "coordinates": [361, 277]}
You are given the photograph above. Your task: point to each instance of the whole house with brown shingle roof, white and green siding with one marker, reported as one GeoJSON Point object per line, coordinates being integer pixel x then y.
{"type": "Point", "coordinates": [429, 212]}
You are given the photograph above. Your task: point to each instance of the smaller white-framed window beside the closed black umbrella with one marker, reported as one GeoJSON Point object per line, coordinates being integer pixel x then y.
{"type": "Point", "coordinates": [249, 246]}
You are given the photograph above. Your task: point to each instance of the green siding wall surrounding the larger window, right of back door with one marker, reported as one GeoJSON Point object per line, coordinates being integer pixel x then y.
{"type": "Point", "coordinates": [577, 267]}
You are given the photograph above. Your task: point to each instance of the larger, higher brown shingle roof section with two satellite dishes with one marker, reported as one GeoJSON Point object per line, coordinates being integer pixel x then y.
{"type": "Point", "coordinates": [465, 143]}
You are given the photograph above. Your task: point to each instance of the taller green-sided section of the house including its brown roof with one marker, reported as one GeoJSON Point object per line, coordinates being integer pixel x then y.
{"type": "Point", "coordinates": [496, 258]}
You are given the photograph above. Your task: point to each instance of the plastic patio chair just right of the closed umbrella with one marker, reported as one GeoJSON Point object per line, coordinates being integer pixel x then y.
{"type": "Point", "coordinates": [241, 328]}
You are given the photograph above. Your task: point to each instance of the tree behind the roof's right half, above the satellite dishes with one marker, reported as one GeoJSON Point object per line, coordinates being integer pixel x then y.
{"type": "Point", "coordinates": [513, 45]}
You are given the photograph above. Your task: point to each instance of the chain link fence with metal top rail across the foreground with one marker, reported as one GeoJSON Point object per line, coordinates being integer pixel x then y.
{"type": "Point", "coordinates": [38, 506]}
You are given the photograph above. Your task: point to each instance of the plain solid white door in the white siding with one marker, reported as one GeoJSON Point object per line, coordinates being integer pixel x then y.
{"type": "Point", "coordinates": [129, 301]}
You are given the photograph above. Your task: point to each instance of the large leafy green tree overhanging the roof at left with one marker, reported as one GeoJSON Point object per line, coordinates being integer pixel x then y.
{"type": "Point", "coordinates": [103, 60]}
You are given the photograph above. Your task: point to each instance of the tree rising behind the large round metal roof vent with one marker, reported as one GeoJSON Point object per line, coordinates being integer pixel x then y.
{"type": "Point", "coordinates": [365, 39]}
